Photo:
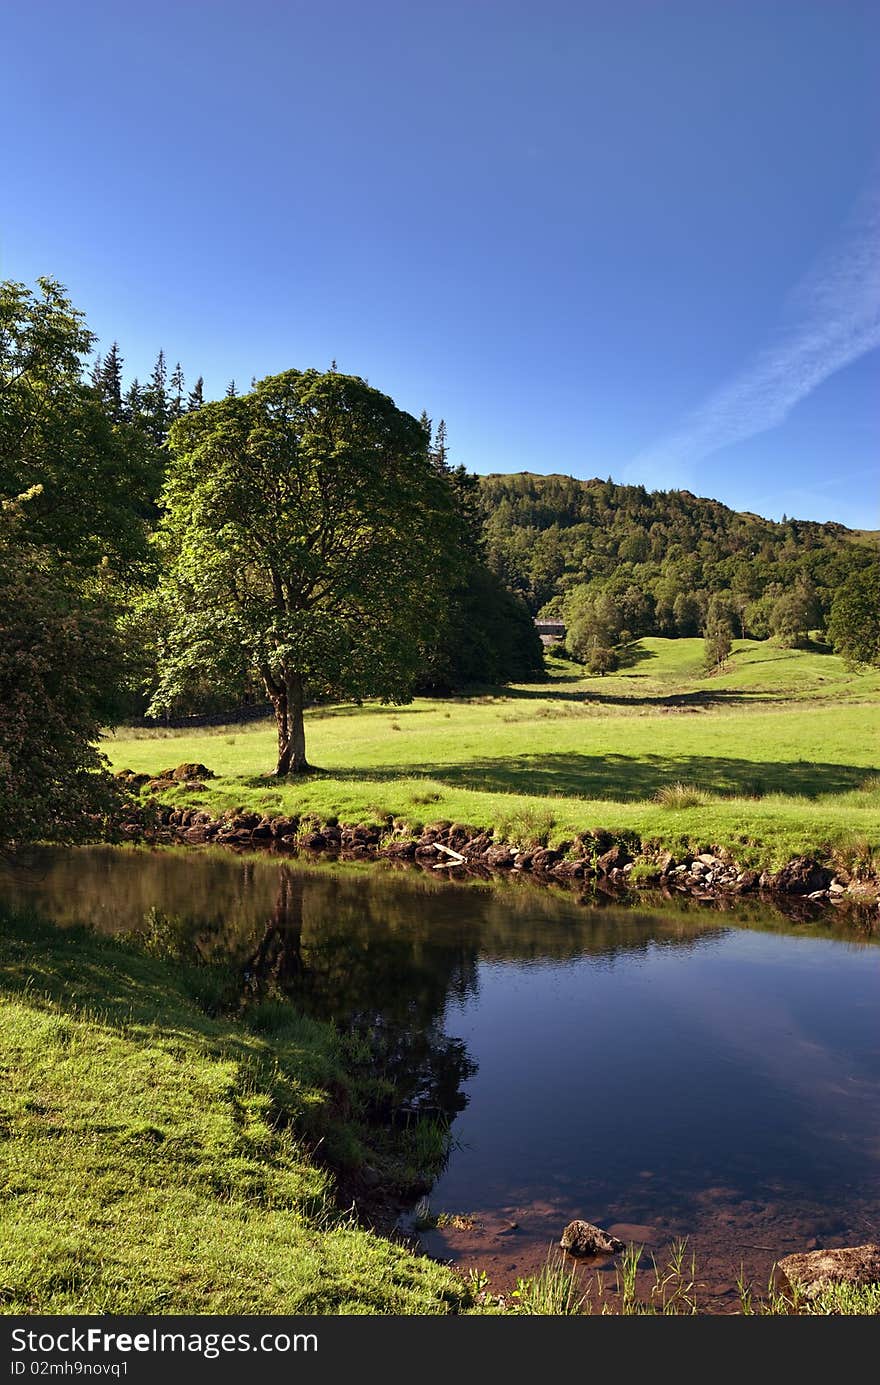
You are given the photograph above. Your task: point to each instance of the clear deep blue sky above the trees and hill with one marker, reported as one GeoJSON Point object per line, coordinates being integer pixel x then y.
{"type": "Point", "coordinates": [623, 239]}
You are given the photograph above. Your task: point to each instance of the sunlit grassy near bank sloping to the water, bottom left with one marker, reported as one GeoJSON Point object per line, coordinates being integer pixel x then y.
{"type": "Point", "coordinates": [155, 1160]}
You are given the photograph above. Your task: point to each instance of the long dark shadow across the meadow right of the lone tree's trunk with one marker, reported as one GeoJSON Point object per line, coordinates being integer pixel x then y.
{"type": "Point", "coordinates": [622, 778]}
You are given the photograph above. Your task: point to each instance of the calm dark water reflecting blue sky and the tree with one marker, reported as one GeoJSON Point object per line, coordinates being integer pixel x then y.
{"type": "Point", "coordinates": [667, 1071]}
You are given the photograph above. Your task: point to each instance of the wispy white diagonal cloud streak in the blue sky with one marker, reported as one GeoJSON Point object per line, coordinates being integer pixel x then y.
{"type": "Point", "coordinates": [832, 318]}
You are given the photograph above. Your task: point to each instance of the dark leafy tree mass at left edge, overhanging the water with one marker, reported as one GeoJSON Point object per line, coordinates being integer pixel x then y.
{"type": "Point", "coordinates": [77, 487]}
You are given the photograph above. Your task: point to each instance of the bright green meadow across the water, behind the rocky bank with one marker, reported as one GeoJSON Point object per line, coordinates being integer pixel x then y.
{"type": "Point", "coordinates": [784, 749]}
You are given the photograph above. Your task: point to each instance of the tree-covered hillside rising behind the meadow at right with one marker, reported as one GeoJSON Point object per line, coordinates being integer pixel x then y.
{"type": "Point", "coordinates": [659, 559]}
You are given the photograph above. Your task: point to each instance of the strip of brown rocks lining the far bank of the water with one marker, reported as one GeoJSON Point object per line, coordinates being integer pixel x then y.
{"type": "Point", "coordinates": [610, 862]}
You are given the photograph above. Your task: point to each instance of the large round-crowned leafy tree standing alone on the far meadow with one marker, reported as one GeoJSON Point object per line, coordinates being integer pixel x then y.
{"type": "Point", "coordinates": [308, 537]}
